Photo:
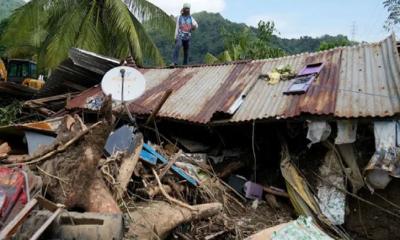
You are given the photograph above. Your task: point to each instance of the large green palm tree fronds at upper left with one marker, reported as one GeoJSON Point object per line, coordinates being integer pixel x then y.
{"type": "Point", "coordinates": [46, 29]}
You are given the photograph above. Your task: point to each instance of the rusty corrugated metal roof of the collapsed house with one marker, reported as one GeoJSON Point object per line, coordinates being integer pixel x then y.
{"type": "Point", "coordinates": [359, 81]}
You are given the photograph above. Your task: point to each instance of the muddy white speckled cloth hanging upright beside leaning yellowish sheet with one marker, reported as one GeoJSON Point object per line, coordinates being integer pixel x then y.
{"type": "Point", "coordinates": [332, 201]}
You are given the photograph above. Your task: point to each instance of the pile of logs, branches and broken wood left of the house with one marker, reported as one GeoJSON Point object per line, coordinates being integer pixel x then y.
{"type": "Point", "coordinates": [94, 175]}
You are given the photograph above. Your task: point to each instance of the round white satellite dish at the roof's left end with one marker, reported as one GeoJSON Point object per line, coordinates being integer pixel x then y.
{"type": "Point", "coordinates": [126, 80]}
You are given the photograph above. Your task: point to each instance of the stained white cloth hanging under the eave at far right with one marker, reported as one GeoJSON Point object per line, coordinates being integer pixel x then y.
{"type": "Point", "coordinates": [385, 163]}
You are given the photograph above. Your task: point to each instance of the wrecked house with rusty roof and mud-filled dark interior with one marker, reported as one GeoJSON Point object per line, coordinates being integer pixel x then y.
{"type": "Point", "coordinates": [318, 140]}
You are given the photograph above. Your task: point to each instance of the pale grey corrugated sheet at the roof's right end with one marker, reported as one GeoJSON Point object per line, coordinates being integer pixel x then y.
{"type": "Point", "coordinates": [369, 81]}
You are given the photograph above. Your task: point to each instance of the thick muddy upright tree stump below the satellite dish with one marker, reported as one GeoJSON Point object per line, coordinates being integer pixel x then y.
{"type": "Point", "coordinates": [71, 175]}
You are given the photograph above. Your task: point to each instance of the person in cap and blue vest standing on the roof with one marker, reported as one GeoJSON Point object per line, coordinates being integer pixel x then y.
{"type": "Point", "coordinates": [185, 24]}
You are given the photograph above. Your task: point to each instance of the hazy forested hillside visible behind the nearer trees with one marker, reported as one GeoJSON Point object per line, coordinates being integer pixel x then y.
{"type": "Point", "coordinates": [208, 38]}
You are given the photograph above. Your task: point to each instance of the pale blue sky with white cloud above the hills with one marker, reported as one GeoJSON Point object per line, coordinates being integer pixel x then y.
{"type": "Point", "coordinates": [295, 18]}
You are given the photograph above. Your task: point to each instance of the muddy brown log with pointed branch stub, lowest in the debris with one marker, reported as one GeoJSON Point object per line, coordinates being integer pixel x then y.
{"type": "Point", "coordinates": [157, 219]}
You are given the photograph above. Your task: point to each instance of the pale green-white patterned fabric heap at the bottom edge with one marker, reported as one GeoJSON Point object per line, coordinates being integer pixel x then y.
{"type": "Point", "coordinates": [303, 228]}
